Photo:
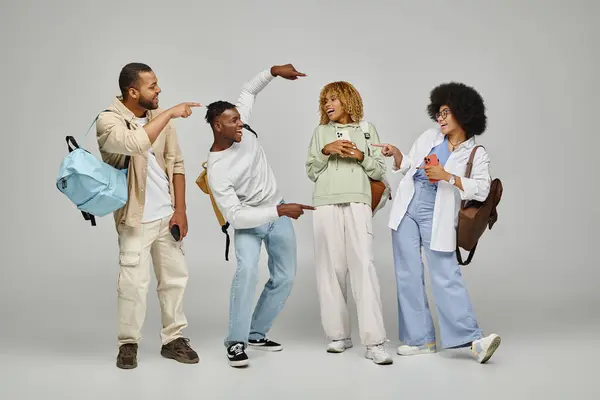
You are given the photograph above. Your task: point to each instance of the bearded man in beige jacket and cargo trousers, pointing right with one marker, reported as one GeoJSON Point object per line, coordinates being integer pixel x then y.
{"type": "Point", "coordinates": [134, 126]}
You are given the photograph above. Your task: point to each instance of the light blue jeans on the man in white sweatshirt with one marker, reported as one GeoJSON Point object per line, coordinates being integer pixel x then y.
{"type": "Point", "coordinates": [280, 242]}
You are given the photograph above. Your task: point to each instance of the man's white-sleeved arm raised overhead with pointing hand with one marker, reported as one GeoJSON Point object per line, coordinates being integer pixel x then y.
{"type": "Point", "coordinates": [253, 87]}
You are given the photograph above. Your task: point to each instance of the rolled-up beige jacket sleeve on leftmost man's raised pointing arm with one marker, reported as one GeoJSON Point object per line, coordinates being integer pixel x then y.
{"type": "Point", "coordinates": [114, 136]}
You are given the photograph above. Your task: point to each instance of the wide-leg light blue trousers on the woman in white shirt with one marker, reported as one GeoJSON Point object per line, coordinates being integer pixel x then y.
{"type": "Point", "coordinates": [458, 325]}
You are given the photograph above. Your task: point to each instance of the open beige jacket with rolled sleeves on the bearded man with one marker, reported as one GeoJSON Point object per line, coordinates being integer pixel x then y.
{"type": "Point", "coordinates": [117, 139]}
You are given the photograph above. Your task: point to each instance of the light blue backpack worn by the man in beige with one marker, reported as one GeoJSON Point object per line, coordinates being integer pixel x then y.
{"type": "Point", "coordinates": [95, 187]}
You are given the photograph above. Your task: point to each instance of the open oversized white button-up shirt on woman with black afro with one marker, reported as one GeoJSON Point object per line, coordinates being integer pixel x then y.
{"type": "Point", "coordinates": [448, 197]}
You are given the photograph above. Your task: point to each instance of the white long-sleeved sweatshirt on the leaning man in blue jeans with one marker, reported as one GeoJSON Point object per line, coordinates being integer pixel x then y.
{"type": "Point", "coordinates": [240, 177]}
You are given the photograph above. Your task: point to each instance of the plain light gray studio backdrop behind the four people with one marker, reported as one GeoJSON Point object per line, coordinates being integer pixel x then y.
{"type": "Point", "coordinates": [533, 61]}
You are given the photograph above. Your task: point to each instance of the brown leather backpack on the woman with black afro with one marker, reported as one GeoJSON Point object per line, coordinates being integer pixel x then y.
{"type": "Point", "coordinates": [475, 216]}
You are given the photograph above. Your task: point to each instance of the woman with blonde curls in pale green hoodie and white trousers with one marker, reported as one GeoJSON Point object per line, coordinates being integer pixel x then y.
{"type": "Point", "coordinates": [341, 163]}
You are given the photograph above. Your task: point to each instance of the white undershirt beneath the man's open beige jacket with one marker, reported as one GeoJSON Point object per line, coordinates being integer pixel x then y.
{"type": "Point", "coordinates": [158, 199]}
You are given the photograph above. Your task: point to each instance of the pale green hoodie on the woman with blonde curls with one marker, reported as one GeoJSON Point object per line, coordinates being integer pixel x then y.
{"type": "Point", "coordinates": [343, 180]}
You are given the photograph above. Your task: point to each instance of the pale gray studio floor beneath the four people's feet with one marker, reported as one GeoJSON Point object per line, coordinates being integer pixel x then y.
{"type": "Point", "coordinates": [548, 366]}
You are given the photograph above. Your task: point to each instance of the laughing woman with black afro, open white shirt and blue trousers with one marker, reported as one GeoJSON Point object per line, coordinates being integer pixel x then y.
{"type": "Point", "coordinates": [425, 213]}
